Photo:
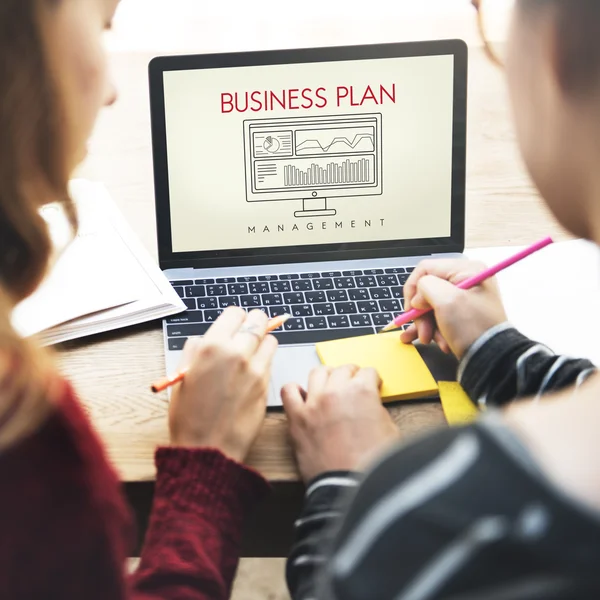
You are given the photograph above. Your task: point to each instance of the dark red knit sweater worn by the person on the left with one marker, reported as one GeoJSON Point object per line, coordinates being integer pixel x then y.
{"type": "Point", "coordinates": [65, 531]}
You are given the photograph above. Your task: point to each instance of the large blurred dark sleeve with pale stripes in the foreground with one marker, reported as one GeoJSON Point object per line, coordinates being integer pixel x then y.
{"type": "Point", "coordinates": [455, 515]}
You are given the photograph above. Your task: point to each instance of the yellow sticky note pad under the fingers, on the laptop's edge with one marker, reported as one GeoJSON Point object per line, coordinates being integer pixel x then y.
{"type": "Point", "coordinates": [404, 373]}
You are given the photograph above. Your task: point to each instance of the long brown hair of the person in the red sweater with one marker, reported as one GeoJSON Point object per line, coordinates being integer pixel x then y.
{"type": "Point", "coordinates": [33, 171]}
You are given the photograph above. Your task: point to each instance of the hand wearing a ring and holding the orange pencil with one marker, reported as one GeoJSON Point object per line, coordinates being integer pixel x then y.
{"type": "Point", "coordinates": [221, 403]}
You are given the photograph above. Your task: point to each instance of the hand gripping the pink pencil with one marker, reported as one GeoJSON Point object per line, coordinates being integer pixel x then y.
{"type": "Point", "coordinates": [460, 317]}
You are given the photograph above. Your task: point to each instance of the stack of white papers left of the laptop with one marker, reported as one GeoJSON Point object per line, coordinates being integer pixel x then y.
{"type": "Point", "coordinates": [103, 280]}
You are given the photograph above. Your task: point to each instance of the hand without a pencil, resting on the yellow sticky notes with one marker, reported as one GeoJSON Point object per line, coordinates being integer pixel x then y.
{"type": "Point", "coordinates": [340, 423]}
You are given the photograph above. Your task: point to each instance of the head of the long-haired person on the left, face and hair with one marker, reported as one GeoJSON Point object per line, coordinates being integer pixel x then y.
{"type": "Point", "coordinates": [53, 81]}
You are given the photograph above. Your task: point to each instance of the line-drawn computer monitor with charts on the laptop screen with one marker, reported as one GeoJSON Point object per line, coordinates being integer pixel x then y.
{"type": "Point", "coordinates": [313, 159]}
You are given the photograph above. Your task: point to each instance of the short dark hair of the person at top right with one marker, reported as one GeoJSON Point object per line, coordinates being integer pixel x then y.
{"type": "Point", "coordinates": [578, 37]}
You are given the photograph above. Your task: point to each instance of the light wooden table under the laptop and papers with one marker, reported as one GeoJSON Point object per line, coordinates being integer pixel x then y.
{"type": "Point", "coordinates": [112, 371]}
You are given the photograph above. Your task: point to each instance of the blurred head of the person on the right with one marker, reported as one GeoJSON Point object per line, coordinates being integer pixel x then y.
{"type": "Point", "coordinates": [553, 70]}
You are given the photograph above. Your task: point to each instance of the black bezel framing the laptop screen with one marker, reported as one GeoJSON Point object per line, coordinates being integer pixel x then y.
{"type": "Point", "coordinates": [318, 252]}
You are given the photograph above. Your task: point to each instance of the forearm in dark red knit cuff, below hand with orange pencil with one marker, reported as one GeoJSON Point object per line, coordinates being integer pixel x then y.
{"type": "Point", "coordinates": [192, 545]}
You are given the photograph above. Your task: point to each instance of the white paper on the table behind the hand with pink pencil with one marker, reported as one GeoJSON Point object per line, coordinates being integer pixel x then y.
{"type": "Point", "coordinates": [553, 296]}
